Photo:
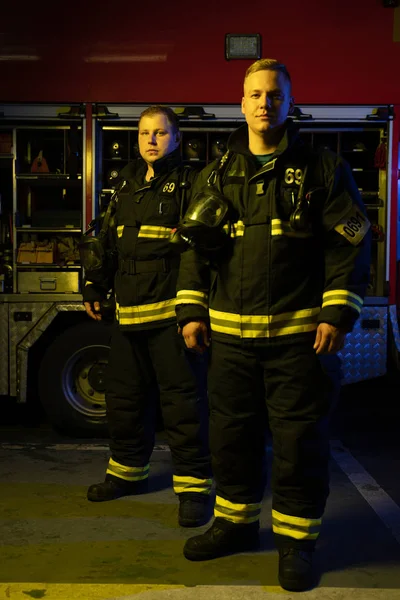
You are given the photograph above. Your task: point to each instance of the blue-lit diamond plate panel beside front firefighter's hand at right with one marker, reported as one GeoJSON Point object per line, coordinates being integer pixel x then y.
{"type": "Point", "coordinates": [364, 354]}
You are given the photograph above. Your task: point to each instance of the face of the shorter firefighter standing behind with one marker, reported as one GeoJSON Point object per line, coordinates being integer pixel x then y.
{"type": "Point", "coordinates": [157, 138]}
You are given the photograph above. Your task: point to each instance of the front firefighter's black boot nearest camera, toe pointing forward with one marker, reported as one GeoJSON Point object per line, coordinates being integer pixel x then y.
{"type": "Point", "coordinates": [295, 569]}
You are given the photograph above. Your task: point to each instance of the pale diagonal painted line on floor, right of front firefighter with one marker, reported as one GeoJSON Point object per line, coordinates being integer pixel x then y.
{"type": "Point", "coordinates": [382, 504]}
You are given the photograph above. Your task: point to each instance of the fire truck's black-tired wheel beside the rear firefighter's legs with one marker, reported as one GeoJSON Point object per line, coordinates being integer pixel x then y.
{"type": "Point", "coordinates": [72, 380]}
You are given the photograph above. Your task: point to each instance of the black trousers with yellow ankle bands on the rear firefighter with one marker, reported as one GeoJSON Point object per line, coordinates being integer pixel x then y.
{"type": "Point", "coordinates": [138, 363]}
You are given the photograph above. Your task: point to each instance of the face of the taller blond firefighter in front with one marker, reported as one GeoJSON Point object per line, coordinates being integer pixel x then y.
{"type": "Point", "coordinates": [267, 100]}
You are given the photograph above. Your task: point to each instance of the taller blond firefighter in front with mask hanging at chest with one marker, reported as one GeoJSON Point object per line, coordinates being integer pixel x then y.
{"type": "Point", "coordinates": [284, 288]}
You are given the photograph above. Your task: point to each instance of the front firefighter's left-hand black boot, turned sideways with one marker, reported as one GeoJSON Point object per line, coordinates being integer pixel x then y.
{"type": "Point", "coordinates": [223, 538]}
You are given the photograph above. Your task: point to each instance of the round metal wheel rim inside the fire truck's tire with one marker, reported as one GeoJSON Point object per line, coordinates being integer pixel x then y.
{"type": "Point", "coordinates": [83, 381]}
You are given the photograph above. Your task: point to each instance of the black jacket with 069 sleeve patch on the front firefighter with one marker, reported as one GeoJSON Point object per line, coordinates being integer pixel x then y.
{"type": "Point", "coordinates": [273, 281]}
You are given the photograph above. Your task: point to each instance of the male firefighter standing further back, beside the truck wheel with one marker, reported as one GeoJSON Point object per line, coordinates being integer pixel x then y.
{"type": "Point", "coordinates": [145, 345]}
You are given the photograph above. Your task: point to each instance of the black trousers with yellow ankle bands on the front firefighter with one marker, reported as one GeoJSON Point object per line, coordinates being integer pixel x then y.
{"type": "Point", "coordinates": [295, 398]}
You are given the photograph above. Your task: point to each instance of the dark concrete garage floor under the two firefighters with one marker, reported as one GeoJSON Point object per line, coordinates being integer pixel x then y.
{"type": "Point", "coordinates": [57, 545]}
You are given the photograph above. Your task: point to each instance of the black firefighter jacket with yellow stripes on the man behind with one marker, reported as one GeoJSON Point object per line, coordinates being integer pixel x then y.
{"type": "Point", "coordinates": [146, 266]}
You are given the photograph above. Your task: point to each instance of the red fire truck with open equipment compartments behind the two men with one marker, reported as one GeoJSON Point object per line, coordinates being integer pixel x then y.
{"type": "Point", "coordinates": [68, 125]}
